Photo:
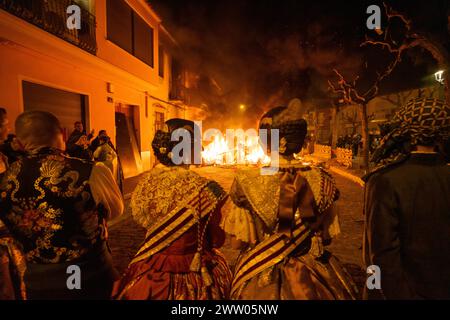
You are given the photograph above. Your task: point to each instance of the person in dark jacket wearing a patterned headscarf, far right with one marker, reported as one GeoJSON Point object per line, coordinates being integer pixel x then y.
{"type": "Point", "coordinates": [407, 206]}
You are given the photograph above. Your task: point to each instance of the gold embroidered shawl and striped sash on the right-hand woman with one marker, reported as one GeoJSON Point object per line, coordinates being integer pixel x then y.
{"type": "Point", "coordinates": [262, 192]}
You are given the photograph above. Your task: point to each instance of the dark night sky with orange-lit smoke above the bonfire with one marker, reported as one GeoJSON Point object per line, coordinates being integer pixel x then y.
{"type": "Point", "coordinates": [264, 53]}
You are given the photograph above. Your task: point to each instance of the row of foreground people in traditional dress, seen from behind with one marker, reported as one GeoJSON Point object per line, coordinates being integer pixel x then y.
{"type": "Point", "coordinates": [54, 211]}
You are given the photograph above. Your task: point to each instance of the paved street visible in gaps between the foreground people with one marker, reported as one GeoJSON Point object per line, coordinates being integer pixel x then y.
{"type": "Point", "coordinates": [126, 236]}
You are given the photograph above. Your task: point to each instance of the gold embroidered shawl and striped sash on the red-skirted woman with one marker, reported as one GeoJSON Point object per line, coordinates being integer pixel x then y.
{"type": "Point", "coordinates": [160, 197]}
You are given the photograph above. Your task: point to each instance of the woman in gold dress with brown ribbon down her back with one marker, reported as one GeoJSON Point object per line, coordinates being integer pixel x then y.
{"type": "Point", "coordinates": [283, 222]}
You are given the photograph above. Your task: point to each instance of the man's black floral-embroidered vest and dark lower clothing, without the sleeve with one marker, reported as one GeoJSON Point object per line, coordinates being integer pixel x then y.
{"type": "Point", "coordinates": [49, 208]}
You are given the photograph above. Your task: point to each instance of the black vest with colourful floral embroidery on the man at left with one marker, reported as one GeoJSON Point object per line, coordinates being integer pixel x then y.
{"type": "Point", "coordinates": [47, 205]}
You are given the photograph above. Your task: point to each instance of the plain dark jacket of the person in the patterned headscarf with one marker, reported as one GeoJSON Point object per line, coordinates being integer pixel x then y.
{"type": "Point", "coordinates": [407, 232]}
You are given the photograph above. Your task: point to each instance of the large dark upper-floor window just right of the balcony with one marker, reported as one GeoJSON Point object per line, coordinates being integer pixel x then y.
{"type": "Point", "coordinates": [129, 31]}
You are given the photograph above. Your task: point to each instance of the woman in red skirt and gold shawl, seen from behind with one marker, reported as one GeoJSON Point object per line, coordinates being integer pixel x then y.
{"type": "Point", "coordinates": [179, 259]}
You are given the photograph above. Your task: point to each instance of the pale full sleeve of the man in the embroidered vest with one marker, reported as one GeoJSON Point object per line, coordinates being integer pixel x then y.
{"type": "Point", "coordinates": [105, 190]}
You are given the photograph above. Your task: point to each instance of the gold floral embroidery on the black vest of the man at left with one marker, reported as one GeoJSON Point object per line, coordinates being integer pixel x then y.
{"type": "Point", "coordinates": [38, 222]}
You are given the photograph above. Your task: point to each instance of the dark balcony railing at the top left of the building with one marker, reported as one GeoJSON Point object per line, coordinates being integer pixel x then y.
{"type": "Point", "coordinates": [51, 16]}
